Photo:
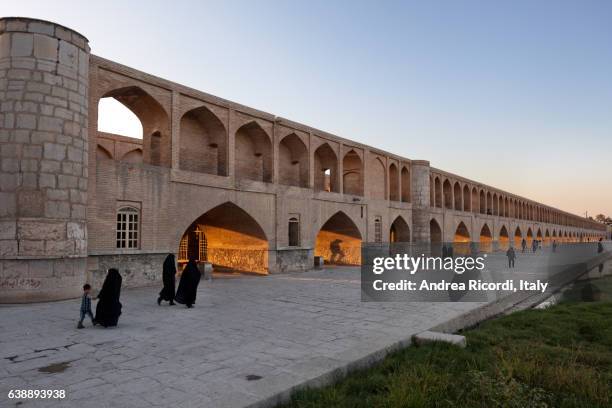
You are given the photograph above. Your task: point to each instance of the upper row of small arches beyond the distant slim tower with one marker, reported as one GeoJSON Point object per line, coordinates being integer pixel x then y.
{"type": "Point", "coordinates": [461, 196]}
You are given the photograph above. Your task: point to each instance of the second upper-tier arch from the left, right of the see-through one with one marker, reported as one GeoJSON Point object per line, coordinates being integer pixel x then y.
{"type": "Point", "coordinates": [203, 142]}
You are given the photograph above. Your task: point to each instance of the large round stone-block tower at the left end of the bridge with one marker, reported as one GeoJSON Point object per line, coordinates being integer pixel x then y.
{"type": "Point", "coordinates": [43, 152]}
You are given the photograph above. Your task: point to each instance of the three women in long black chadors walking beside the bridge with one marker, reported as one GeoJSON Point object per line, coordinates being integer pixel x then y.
{"type": "Point", "coordinates": [108, 308]}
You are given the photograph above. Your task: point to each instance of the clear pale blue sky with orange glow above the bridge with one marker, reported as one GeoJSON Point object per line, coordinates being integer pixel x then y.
{"type": "Point", "coordinates": [514, 94]}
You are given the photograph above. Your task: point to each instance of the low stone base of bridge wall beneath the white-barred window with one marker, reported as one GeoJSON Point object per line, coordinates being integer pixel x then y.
{"type": "Point", "coordinates": [135, 269]}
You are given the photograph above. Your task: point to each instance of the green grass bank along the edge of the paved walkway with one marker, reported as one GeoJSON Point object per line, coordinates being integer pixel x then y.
{"type": "Point", "coordinates": [558, 357]}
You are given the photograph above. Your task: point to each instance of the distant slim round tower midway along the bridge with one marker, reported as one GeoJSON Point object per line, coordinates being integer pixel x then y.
{"type": "Point", "coordinates": [420, 194]}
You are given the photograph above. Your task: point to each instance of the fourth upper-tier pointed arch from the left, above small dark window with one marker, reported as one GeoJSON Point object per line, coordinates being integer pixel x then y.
{"type": "Point", "coordinates": [293, 161]}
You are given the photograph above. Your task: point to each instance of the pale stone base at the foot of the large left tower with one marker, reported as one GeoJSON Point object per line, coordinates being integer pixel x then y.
{"type": "Point", "coordinates": [39, 280]}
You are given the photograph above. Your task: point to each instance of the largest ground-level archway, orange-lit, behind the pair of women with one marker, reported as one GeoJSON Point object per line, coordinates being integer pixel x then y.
{"type": "Point", "coordinates": [229, 238]}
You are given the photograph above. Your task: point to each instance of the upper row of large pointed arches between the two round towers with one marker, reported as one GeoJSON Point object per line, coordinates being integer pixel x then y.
{"type": "Point", "coordinates": [204, 148]}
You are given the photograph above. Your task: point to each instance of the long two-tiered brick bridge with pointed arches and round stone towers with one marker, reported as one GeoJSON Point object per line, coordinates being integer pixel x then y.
{"type": "Point", "coordinates": [241, 188]}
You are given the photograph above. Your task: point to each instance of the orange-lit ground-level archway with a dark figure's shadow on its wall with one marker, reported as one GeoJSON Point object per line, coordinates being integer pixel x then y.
{"type": "Point", "coordinates": [339, 241]}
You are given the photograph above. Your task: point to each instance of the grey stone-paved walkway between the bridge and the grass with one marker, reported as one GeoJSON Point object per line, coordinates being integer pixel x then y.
{"type": "Point", "coordinates": [286, 329]}
